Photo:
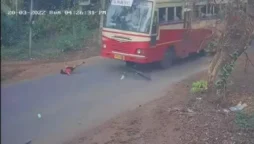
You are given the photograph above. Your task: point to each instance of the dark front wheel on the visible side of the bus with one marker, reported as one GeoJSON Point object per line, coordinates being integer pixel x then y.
{"type": "Point", "coordinates": [167, 61]}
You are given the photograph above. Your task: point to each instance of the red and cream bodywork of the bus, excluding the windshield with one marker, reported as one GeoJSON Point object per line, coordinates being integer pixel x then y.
{"type": "Point", "coordinates": [170, 35]}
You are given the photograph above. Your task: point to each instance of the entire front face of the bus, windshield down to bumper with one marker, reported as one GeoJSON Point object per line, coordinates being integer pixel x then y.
{"type": "Point", "coordinates": [126, 31]}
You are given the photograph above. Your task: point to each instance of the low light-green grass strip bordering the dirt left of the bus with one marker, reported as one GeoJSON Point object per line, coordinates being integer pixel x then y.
{"type": "Point", "coordinates": [48, 48]}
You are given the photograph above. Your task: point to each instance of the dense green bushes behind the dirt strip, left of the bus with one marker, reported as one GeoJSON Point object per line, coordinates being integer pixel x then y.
{"type": "Point", "coordinates": [52, 35]}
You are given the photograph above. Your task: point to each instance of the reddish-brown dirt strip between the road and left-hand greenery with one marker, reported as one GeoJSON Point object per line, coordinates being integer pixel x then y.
{"type": "Point", "coordinates": [14, 71]}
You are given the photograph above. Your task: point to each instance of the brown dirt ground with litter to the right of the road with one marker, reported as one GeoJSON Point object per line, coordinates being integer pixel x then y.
{"type": "Point", "coordinates": [181, 117]}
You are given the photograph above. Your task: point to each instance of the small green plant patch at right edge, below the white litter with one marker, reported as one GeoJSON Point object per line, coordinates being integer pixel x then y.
{"type": "Point", "coordinates": [245, 120]}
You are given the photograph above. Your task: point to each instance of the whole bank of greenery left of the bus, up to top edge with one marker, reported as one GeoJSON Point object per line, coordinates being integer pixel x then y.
{"type": "Point", "coordinates": [52, 35]}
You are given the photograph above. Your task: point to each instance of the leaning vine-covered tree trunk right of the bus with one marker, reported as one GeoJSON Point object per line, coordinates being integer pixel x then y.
{"type": "Point", "coordinates": [234, 41]}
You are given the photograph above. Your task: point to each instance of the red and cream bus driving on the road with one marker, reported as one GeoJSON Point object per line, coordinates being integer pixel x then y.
{"type": "Point", "coordinates": [147, 31]}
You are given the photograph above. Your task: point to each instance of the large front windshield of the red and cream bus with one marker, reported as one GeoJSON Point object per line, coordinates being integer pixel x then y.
{"type": "Point", "coordinates": [136, 18]}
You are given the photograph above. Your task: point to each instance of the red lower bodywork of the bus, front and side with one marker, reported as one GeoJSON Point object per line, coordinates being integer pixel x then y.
{"type": "Point", "coordinates": [183, 45]}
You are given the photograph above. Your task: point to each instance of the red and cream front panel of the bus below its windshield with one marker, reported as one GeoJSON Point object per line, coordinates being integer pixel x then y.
{"type": "Point", "coordinates": [125, 48]}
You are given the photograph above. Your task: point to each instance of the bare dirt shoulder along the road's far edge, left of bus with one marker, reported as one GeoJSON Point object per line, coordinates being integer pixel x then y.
{"type": "Point", "coordinates": [15, 71]}
